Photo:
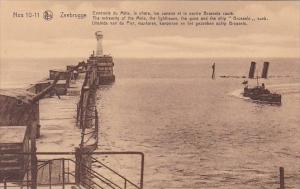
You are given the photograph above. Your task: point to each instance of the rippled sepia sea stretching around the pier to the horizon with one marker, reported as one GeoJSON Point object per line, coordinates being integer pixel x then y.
{"type": "Point", "coordinates": [195, 132]}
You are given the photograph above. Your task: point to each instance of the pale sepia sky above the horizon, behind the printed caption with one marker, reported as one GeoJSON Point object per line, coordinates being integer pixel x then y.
{"type": "Point", "coordinates": [277, 37]}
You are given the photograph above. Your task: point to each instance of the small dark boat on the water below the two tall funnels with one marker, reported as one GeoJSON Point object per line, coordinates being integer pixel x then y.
{"type": "Point", "coordinates": [261, 94]}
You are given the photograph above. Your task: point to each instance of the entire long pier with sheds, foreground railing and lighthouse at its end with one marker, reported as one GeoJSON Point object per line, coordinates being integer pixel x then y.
{"type": "Point", "coordinates": [51, 130]}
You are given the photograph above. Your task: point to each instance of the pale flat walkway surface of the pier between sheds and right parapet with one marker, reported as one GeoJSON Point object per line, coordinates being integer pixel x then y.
{"type": "Point", "coordinates": [58, 119]}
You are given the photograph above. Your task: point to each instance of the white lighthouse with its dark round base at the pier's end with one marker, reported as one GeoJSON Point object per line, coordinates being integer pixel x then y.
{"type": "Point", "coordinates": [104, 63]}
